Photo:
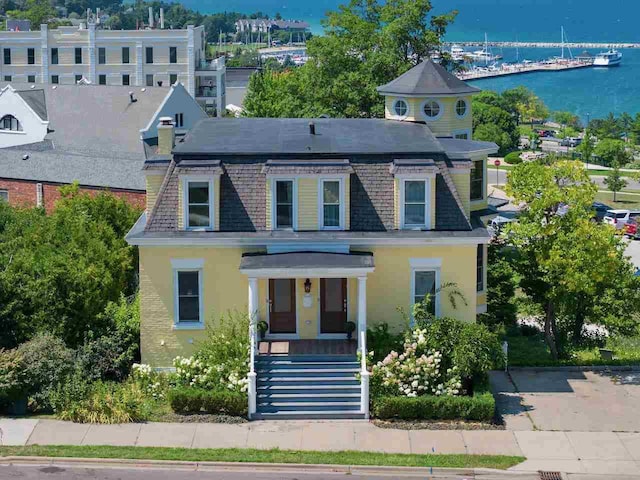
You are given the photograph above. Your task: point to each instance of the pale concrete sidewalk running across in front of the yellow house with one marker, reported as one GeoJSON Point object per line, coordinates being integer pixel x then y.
{"type": "Point", "coordinates": [568, 452]}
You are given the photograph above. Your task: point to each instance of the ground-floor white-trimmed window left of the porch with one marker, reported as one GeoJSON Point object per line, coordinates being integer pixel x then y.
{"type": "Point", "coordinates": [188, 300]}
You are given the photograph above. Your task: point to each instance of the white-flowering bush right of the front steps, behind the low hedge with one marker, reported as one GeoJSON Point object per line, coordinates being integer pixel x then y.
{"type": "Point", "coordinates": [416, 371]}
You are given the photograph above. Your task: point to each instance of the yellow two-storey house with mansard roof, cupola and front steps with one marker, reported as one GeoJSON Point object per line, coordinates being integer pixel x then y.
{"type": "Point", "coordinates": [314, 226]}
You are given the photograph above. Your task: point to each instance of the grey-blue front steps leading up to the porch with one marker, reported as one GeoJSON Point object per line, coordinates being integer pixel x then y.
{"type": "Point", "coordinates": [307, 387]}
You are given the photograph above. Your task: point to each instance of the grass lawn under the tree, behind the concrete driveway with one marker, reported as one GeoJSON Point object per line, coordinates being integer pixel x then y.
{"type": "Point", "coordinates": [532, 351]}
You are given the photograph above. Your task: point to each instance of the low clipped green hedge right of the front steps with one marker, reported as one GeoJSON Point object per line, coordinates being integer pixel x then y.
{"type": "Point", "coordinates": [480, 407]}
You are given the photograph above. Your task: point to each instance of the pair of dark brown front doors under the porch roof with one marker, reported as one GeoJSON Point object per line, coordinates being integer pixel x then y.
{"type": "Point", "coordinates": [282, 306]}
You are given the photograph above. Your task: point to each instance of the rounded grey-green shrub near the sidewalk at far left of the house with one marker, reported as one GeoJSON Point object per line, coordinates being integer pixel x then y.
{"type": "Point", "coordinates": [48, 362]}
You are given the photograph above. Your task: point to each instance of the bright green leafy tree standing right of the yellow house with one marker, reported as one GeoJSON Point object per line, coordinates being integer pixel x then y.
{"type": "Point", "coordinates": [562, 254]}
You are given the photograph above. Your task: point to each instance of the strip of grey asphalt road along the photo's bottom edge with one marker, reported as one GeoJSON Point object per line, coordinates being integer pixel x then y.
{"type": "Point", "coordinates": [32, 472]}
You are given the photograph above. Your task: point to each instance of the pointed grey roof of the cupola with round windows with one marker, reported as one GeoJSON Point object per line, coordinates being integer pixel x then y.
{"type": "Point", "coordinates": [427, 78]}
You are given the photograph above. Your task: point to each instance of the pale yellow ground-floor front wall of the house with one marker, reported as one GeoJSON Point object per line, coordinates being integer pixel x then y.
{"type": "Point", "coordinates": [225, 288]}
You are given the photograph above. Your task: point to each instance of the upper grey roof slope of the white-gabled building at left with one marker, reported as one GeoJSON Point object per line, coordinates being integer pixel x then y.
{"type": "Point", "coordinates": [95, 119]}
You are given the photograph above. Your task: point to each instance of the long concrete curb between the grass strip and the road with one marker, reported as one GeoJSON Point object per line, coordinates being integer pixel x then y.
{"type": "Point", "coordinates": [254, 467]}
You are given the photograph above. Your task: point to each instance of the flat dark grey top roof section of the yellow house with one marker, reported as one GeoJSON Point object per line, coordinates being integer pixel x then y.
{"type": "Point", "coordinates": [282, 136]}
